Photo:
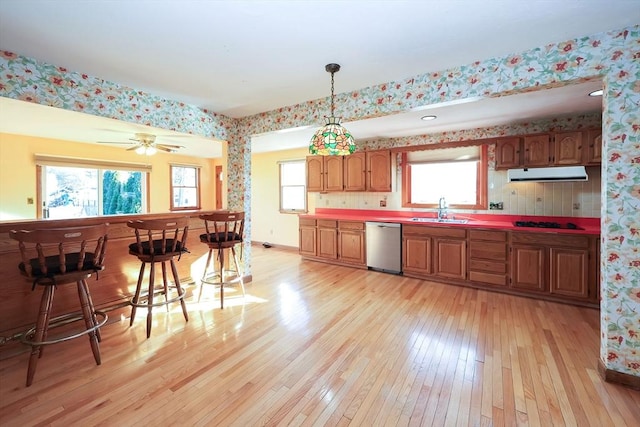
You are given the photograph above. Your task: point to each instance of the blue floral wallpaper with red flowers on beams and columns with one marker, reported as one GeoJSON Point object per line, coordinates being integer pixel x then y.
{"type": "Point", "coordinates": [613, 57]}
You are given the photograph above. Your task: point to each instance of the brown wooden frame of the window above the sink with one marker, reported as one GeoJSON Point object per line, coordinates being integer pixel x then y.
{"type": "Point", "coordinates": [481, 182]}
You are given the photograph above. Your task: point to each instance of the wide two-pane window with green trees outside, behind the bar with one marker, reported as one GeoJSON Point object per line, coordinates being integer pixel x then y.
{"type": "Point", "coordinates": [72, 191]}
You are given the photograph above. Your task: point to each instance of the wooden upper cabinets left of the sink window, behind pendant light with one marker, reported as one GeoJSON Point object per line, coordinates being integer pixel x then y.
{"type": "Point", "coordinates": [361, 171]}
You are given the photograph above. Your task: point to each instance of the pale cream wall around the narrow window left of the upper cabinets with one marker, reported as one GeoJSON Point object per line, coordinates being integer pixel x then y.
{"type": "Point", "coordinates": [267, 223]}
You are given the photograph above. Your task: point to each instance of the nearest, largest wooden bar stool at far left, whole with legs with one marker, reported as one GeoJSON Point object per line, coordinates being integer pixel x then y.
{"type": "Point", "coordinates": [55, 257]}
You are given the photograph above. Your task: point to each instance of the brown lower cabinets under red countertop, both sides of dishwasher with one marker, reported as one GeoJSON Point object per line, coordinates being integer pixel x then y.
{"type": "Point", "coordinates": [562, 267]}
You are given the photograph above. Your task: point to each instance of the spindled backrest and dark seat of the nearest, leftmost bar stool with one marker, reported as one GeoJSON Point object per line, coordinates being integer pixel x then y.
{"type": "Point", "coordinates": [59, 251]}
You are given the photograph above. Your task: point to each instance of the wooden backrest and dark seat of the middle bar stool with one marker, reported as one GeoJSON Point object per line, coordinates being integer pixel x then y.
{"type": "Point", "coordinates": [160, 236]}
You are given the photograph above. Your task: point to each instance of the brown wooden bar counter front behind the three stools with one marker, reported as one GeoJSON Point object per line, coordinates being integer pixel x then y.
{"type": "Point", "coordinates": [112, 288]}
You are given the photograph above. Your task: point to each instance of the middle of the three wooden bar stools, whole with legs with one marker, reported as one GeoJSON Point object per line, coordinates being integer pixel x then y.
{"type": "Point", "coordinates": [158, 240]}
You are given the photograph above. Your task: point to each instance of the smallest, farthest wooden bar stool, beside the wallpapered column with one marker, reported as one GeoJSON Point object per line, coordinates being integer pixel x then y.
{"type": "Point", "coordinates": [224, 230]}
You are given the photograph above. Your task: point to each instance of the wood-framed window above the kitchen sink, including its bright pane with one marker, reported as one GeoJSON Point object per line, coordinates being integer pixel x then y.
{"type": "Point", "coordinates": [457, 174]}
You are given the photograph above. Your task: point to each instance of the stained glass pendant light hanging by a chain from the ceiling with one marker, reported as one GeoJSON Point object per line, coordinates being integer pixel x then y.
{"type": "Point", "coordinates": [332, 139]}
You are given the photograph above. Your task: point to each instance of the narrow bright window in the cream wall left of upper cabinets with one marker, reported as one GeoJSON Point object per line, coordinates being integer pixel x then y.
{"type": "Point", "coordinates": [293, 186]}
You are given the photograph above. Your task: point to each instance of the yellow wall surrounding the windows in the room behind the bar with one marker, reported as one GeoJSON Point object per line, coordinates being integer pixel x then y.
{"type": "Point", "coordinates": [18, 172]}
